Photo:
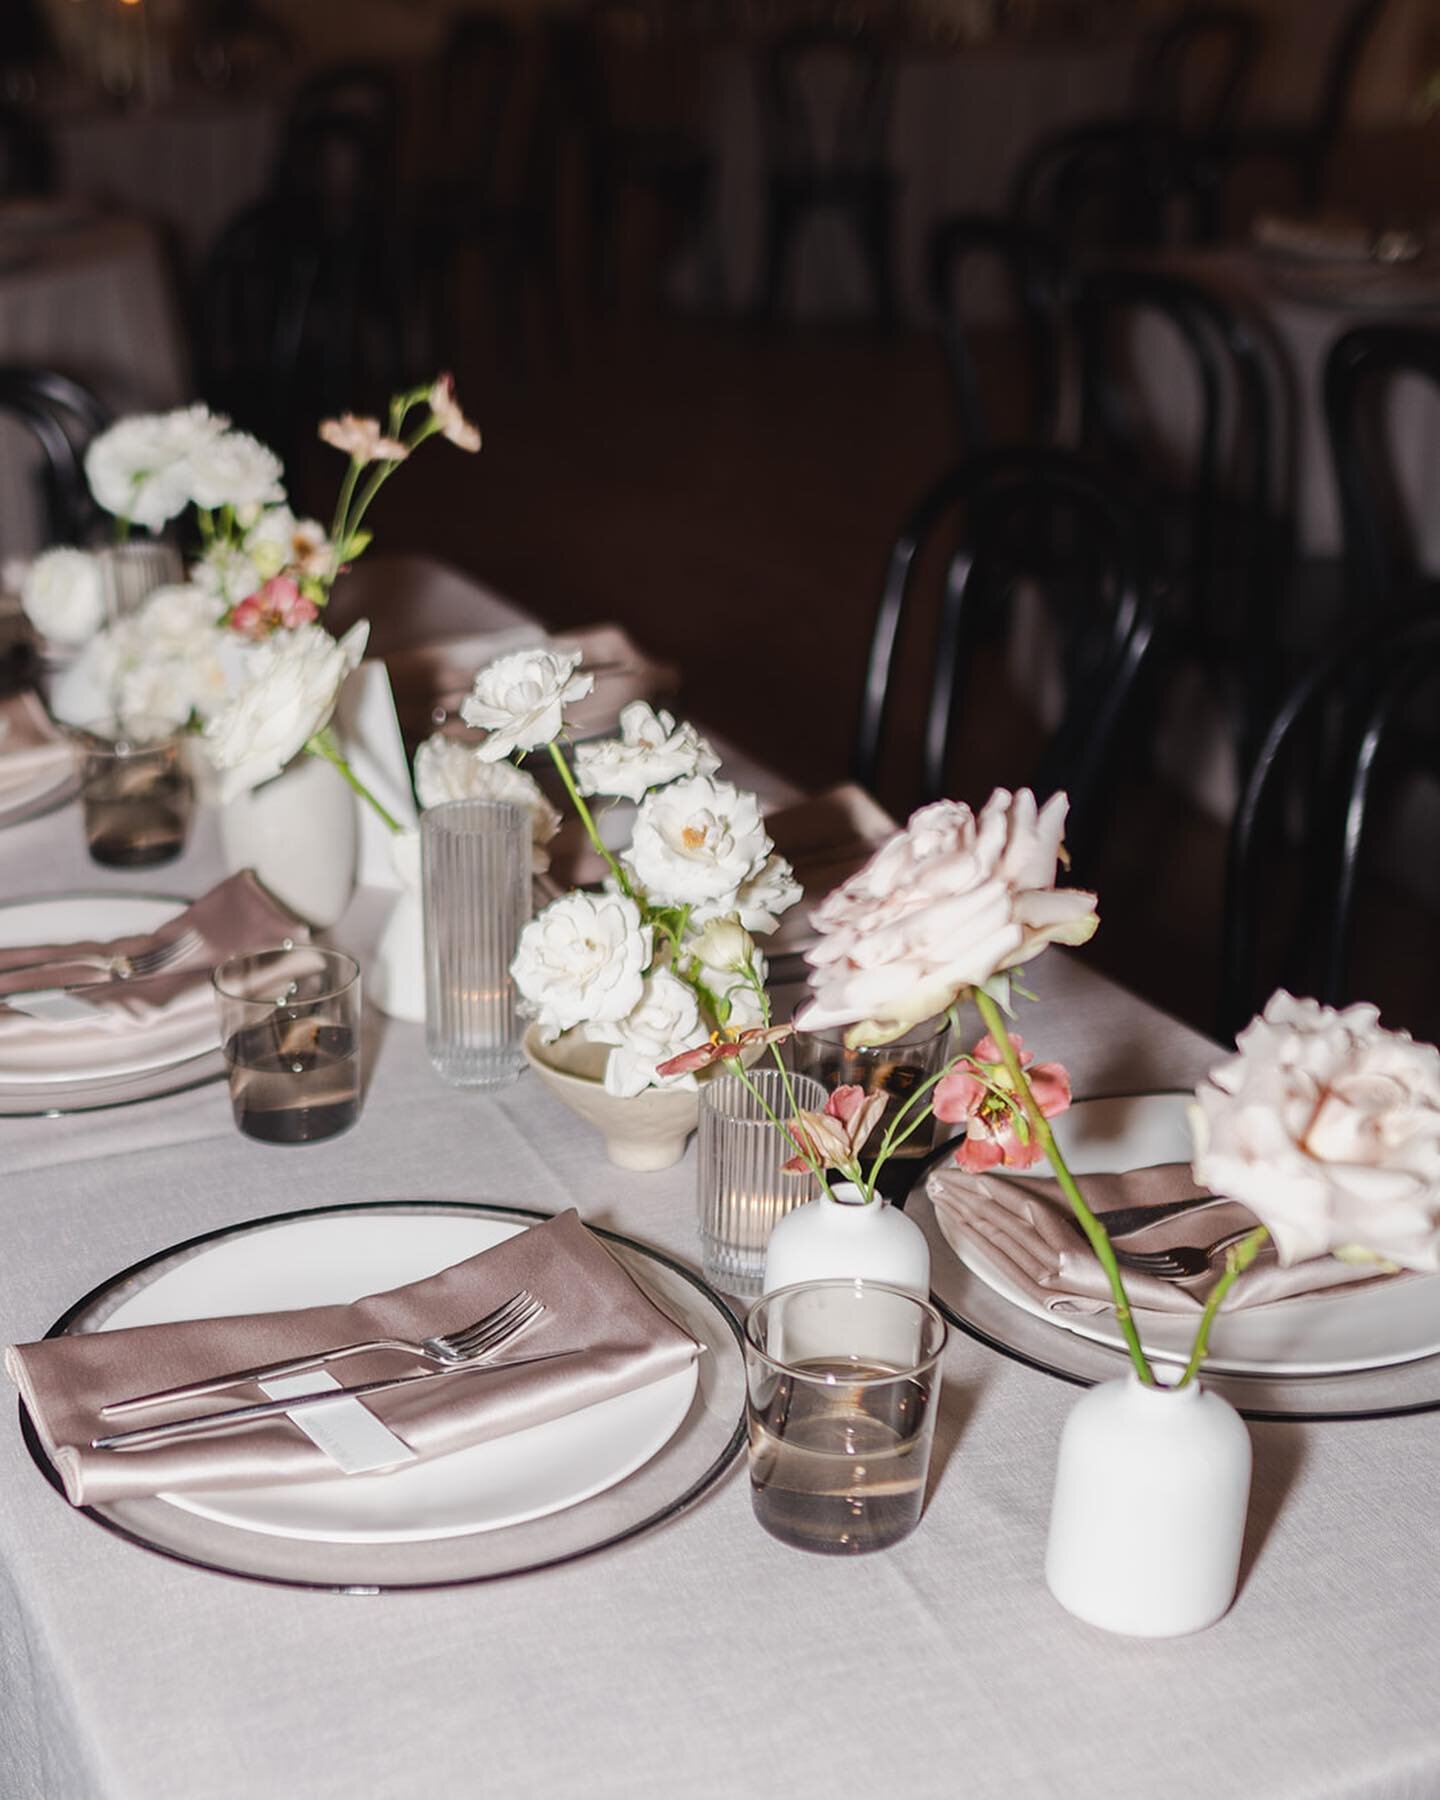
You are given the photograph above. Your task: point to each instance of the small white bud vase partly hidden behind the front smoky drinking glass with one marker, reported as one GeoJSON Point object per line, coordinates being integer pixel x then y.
{"type": "Point", "coordinates": [847, 1237]}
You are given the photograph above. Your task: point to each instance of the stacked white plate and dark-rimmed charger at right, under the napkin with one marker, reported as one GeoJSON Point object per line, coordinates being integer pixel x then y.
{"type": "Point", "coordinates": [1367, 1353]}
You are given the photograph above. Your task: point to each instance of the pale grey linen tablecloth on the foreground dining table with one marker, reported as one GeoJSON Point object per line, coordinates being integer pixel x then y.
{"type": "Point", "coordinates": [699, 1659]}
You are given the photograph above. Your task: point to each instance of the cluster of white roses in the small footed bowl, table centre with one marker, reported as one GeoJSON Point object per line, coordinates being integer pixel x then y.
{"type": "Point", "coordinates": [665, 951]}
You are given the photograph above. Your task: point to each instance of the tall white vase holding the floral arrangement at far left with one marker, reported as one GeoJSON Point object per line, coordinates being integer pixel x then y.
{"type": "Point", "coordinates": [300, 834]}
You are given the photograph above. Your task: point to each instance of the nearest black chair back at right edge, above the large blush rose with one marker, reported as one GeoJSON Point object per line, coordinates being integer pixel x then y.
{"type": "Point", "coordinates": [1342, 719]}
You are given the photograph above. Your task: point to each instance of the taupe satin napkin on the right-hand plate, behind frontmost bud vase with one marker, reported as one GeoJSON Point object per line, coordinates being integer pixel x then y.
{"type": "Point", "coordinates": [1021, 1227]}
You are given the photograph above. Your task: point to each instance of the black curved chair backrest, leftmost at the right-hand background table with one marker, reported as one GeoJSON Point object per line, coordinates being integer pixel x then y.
{"type": "Point", "coordinates": [1032, 271]}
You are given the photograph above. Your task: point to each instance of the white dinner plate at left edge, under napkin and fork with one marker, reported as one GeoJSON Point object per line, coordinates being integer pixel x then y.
{"type": "Point", "coordinates": [71, 919]}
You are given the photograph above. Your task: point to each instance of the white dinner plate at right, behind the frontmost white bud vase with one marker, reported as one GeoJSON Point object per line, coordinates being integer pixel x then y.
{"type": "Point", "coordinates": [1317, 1335]}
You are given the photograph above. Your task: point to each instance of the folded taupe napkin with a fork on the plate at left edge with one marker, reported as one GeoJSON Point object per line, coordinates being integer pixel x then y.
{"type": "Point", "coordinates": [172, 1011]}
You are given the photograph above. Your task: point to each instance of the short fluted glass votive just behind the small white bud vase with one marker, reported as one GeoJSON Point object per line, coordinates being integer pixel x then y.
{"type": "Point", "coordinates": [741, 1185]}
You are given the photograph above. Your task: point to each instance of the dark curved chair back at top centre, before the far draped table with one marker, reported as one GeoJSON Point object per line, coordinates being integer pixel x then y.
{"type": "Point", "coordinates": [805, 136]}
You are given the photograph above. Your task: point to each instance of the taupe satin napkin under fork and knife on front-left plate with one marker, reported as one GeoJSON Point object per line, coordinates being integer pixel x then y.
{"type": "Point", "coordinates": [591, 1308]}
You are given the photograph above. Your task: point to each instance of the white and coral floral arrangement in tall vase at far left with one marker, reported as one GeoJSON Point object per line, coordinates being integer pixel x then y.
{"type": "Point", "coordinates": [238, 652]}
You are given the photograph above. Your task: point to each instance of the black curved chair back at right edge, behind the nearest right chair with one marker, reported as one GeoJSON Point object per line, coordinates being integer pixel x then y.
{"type": "Point", "coordinates": [1380, 541]}
